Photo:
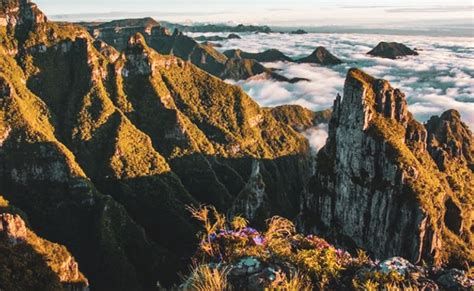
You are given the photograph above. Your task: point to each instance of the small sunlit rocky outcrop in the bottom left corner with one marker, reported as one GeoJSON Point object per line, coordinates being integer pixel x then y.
{"type": "Point", "coordinates": [30, 262]}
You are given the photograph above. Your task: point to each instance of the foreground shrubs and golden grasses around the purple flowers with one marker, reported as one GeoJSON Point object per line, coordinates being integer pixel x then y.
{"type": "Point", "coordinates": [309, 261]}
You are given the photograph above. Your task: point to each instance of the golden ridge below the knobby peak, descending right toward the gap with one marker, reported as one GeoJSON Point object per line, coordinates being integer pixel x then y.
{"type": "Point", "coordinates": [210, 125]}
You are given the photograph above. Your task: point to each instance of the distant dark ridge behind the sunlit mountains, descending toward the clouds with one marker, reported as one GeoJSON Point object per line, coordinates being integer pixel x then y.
{"type": "Point", "coordinates": [116, 34]}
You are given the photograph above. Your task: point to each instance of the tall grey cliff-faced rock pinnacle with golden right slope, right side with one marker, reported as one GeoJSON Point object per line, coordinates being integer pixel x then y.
{"type": "Point", "coordinates": [377, 186]}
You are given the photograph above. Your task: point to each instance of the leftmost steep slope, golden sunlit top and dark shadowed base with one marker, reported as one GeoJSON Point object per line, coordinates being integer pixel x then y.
{"type": "Point", "coordinates": [40, 175]}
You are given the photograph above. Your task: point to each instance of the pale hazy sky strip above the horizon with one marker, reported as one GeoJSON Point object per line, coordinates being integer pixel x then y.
{"type": "Point", "coordinates": [271, 12]}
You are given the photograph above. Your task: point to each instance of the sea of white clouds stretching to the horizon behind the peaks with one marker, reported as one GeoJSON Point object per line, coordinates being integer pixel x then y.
{"type": "Point", "coordinates": [440, 78]}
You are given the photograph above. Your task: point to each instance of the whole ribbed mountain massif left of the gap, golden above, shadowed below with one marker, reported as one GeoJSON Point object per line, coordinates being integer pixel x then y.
{"type": "Point", "coordinates": [103, 149]}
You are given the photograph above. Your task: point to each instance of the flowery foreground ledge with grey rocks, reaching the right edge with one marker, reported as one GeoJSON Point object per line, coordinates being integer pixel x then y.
{"type": "Point", "coordinates": [242, 258]}
